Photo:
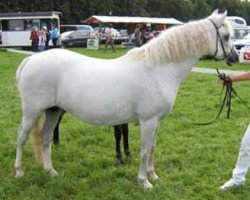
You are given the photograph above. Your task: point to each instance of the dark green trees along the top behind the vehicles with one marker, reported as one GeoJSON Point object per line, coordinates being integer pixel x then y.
{"type": "Point", "coordinates": [77, 10]}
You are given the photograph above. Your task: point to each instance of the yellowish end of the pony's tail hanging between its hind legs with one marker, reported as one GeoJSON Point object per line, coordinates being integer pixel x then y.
{"type": "Point", "coordinates": [36, 137]}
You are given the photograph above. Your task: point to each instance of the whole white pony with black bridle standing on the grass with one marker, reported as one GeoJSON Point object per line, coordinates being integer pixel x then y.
{"type": "Point", "coordinates": [141, 85]}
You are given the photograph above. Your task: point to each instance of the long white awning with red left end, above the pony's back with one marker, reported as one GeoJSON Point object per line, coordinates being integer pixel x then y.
{"type": "Point", "coordinates": [118, 19]}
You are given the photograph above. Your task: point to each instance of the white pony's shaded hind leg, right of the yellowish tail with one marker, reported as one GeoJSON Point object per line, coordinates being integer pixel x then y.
{"type": "Point", "coordinates": [51, 118]}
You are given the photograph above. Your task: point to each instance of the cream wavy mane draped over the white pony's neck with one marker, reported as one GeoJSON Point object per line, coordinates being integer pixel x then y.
{"type": "Point", "coordinates": [177, 43]}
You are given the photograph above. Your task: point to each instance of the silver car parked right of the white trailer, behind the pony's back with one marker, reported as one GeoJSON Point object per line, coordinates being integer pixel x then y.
{"type": "Point", "coordinates": [76, 38]}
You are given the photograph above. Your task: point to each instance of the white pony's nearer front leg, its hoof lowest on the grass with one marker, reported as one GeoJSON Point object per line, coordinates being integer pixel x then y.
{"type": "Point", "coordinates": [148, 129]}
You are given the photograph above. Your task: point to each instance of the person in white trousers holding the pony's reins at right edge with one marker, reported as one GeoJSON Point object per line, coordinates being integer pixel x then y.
{"type": "Point", "coordinates": [243, 162]}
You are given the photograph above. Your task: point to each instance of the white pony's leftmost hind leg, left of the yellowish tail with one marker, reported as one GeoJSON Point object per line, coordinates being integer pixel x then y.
{"type": "Point", "coordinates": [28, 122]}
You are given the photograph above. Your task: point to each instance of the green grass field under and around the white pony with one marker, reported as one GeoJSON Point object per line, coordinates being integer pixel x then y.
{"type": "Point", "coordinates": [192, 161]}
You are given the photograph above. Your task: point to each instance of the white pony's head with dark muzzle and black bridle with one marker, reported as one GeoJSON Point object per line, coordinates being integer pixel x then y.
{"type": "Point", "coordinates": [223, 48]}
